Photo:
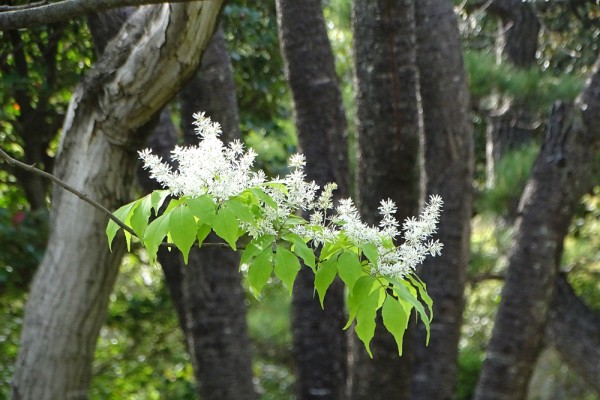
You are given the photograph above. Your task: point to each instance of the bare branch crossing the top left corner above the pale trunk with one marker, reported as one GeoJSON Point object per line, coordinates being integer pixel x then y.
{"type": "Point", "coordinates": [40, 13]}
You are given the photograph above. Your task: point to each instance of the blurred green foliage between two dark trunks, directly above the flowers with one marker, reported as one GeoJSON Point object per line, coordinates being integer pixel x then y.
{"type": "Point", "coordinates": [263, 94]}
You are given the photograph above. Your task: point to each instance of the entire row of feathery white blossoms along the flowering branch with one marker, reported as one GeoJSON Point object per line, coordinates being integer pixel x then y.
{"type": "Point", "coordinates": [223, 172]}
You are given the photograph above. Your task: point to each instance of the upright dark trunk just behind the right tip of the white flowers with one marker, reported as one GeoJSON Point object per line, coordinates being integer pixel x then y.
{"type": "Point", "coordinates": [449, 169]}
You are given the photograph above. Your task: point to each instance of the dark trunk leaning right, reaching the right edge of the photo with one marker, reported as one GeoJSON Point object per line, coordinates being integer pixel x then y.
{"type": "Point", "coordinates": [560, 176]}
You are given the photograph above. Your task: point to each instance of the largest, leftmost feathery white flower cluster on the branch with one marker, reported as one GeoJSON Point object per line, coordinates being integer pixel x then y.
{"type": "Point", "coordinates": [208, 168]}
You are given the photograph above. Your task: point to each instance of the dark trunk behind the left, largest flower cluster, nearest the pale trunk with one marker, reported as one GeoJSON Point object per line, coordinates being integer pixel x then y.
{"type": "Point", "coordinates": [217, 334]}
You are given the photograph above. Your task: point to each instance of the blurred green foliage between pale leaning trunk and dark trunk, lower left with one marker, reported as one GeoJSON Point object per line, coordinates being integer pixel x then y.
{"type": "Point", "coordinates": [141, 350]}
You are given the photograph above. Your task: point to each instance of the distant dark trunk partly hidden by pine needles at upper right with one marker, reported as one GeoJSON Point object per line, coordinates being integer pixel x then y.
{"type": "Point", "coordinates": [512, 126]}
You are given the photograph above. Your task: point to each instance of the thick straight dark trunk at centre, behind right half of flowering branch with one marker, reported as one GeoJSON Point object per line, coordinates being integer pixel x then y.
{"type": "Point", "coordinates": [388, 161]}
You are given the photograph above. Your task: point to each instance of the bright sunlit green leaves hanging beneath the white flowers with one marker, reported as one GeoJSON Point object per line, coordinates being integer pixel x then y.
{"type": "Point", "coordinates": [186, 219]}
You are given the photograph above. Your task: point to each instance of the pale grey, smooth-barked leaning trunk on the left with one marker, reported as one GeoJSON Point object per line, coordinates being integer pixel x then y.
{"type": "Point", "coordinates": [141, 70]}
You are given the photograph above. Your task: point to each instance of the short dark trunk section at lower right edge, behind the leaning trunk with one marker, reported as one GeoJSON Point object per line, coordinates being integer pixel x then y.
{"type": "Point", "coordinates": [574, 330]}
